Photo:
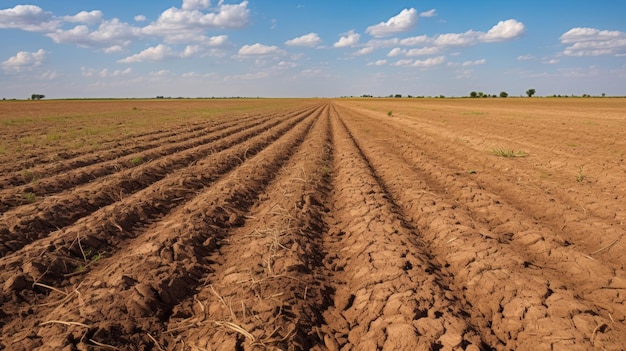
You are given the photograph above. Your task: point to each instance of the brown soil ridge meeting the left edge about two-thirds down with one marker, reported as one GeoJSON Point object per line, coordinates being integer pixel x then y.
{"type": "Point", "coordinates": [28, 223]}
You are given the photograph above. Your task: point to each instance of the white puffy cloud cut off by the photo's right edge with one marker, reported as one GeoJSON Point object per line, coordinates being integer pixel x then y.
{"type": "Point", "coordinates": [594, 42]}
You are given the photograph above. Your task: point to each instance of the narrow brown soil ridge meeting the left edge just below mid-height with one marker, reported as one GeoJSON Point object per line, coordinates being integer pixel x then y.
{"type": "Point", "coordinates": [73, 177]}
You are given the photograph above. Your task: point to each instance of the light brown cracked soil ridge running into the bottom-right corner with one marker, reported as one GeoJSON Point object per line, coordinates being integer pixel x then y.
{"type": "Point", "coordinates": [527, 309]}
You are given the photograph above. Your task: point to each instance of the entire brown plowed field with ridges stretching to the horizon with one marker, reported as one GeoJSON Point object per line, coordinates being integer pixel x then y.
{"type": "Point", "coordinates": [363, 224]}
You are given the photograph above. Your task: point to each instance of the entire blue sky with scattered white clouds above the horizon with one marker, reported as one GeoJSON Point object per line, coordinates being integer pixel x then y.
{"type": "Point", "coordinates": [307, 48]}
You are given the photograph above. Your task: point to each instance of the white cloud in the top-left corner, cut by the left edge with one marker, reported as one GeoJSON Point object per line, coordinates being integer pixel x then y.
{"type": "Point", "coordinates": [30, 18]}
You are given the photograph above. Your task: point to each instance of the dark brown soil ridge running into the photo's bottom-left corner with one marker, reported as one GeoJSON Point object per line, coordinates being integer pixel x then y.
{"type": "Point", "coordinates": [171, 256]}
